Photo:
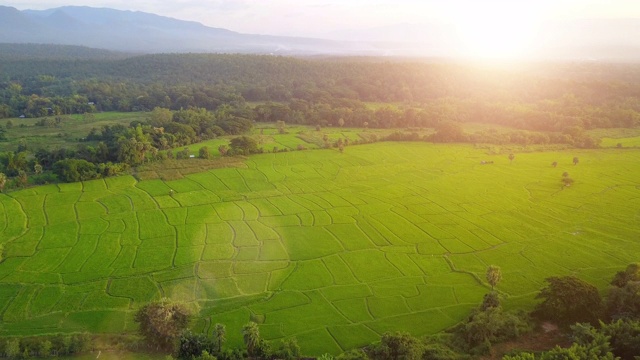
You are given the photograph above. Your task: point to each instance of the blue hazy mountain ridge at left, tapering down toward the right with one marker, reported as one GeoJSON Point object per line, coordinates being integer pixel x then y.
{"type": "Point", "coordinates": [140, 32]}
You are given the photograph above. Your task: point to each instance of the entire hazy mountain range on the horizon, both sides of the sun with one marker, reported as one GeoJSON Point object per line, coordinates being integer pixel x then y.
{"type": "Point", "coordinates": [139, 32]}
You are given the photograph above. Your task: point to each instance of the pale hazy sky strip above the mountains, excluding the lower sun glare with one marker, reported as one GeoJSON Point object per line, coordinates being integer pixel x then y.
{"type": "Point", "coordinates": [318, 17]}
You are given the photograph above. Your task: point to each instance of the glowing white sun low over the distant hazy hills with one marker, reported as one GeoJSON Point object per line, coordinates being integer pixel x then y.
{"type": "Point", "coordinates": [491, 31]}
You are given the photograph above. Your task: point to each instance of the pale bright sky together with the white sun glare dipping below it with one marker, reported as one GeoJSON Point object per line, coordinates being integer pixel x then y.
{"type": "Point", "coordinates": [479, 27]}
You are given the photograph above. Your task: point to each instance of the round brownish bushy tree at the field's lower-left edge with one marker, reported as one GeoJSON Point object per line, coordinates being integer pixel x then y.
{"type": "Point", "coordinates": [162, 322]}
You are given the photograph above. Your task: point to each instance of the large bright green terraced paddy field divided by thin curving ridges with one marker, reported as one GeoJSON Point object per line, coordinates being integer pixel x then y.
{"type": "Point", "coordinates": [334, 249]}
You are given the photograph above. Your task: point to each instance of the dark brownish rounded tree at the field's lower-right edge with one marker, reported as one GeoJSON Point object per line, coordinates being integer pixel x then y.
{"type": "Point", "coordinates": [568, 300]}
